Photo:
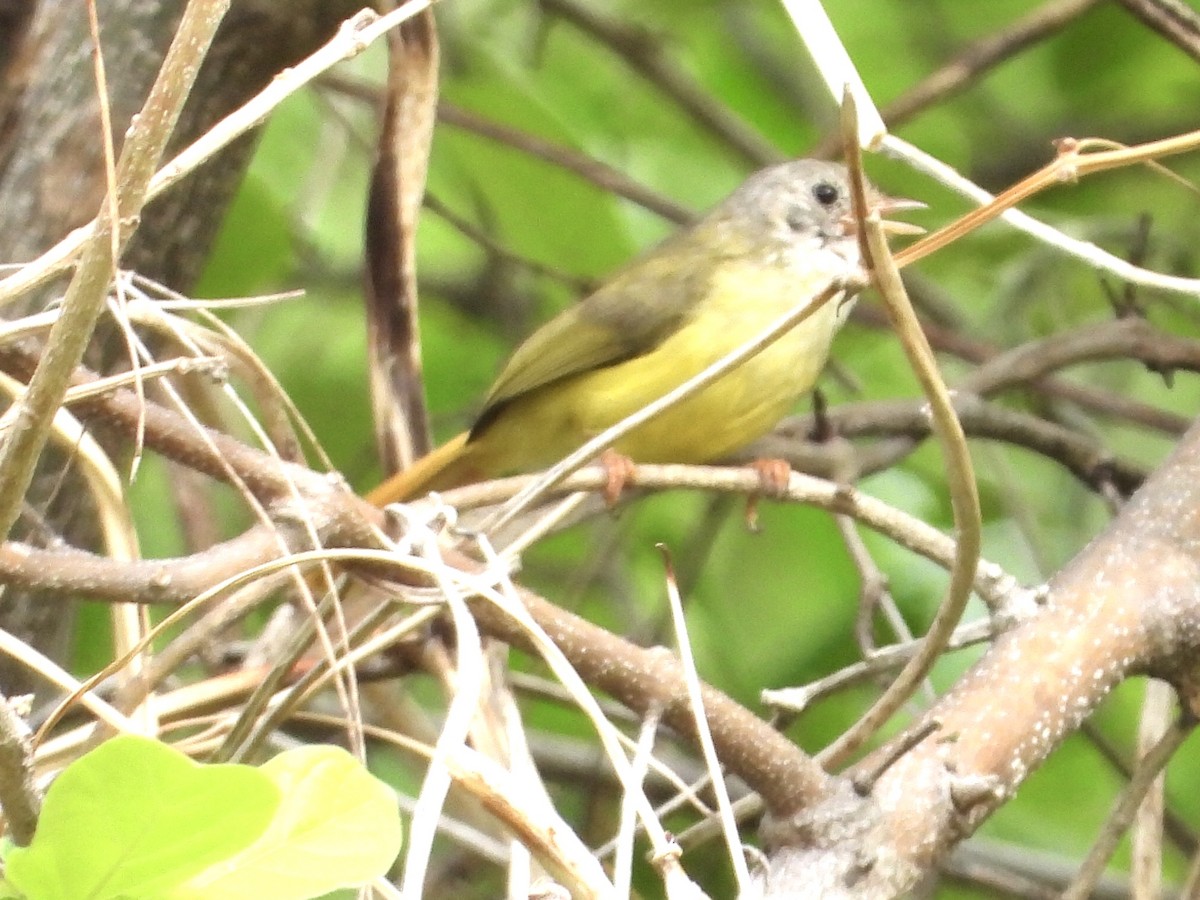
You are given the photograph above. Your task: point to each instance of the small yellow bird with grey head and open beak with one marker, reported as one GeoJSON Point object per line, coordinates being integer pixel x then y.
{"type": "Point", "coordinates": [782, 237]}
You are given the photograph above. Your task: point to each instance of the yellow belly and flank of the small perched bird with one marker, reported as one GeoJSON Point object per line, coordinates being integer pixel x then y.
{"type": "Point", "coordinates": [727, 416]}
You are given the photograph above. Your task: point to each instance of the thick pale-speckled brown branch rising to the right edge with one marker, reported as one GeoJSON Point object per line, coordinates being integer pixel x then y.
{"type": "Point", "coordinates": [1127, 605]}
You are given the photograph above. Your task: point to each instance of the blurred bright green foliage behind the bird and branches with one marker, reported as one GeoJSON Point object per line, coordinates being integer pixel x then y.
{"type": "Point", "coordinates": [777, 608]}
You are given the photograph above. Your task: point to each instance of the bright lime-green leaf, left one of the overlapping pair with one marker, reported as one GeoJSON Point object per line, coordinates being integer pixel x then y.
{"type": "Point", "coordinates": [135, 818]}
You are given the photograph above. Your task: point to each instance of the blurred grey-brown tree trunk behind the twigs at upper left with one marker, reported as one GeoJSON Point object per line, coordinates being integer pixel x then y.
{"type": "Point", "coordinates": [52, 172]}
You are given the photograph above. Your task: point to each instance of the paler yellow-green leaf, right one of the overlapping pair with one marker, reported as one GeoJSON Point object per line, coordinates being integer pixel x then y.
{"type": "Point", "coordinates": [338, 826]}
